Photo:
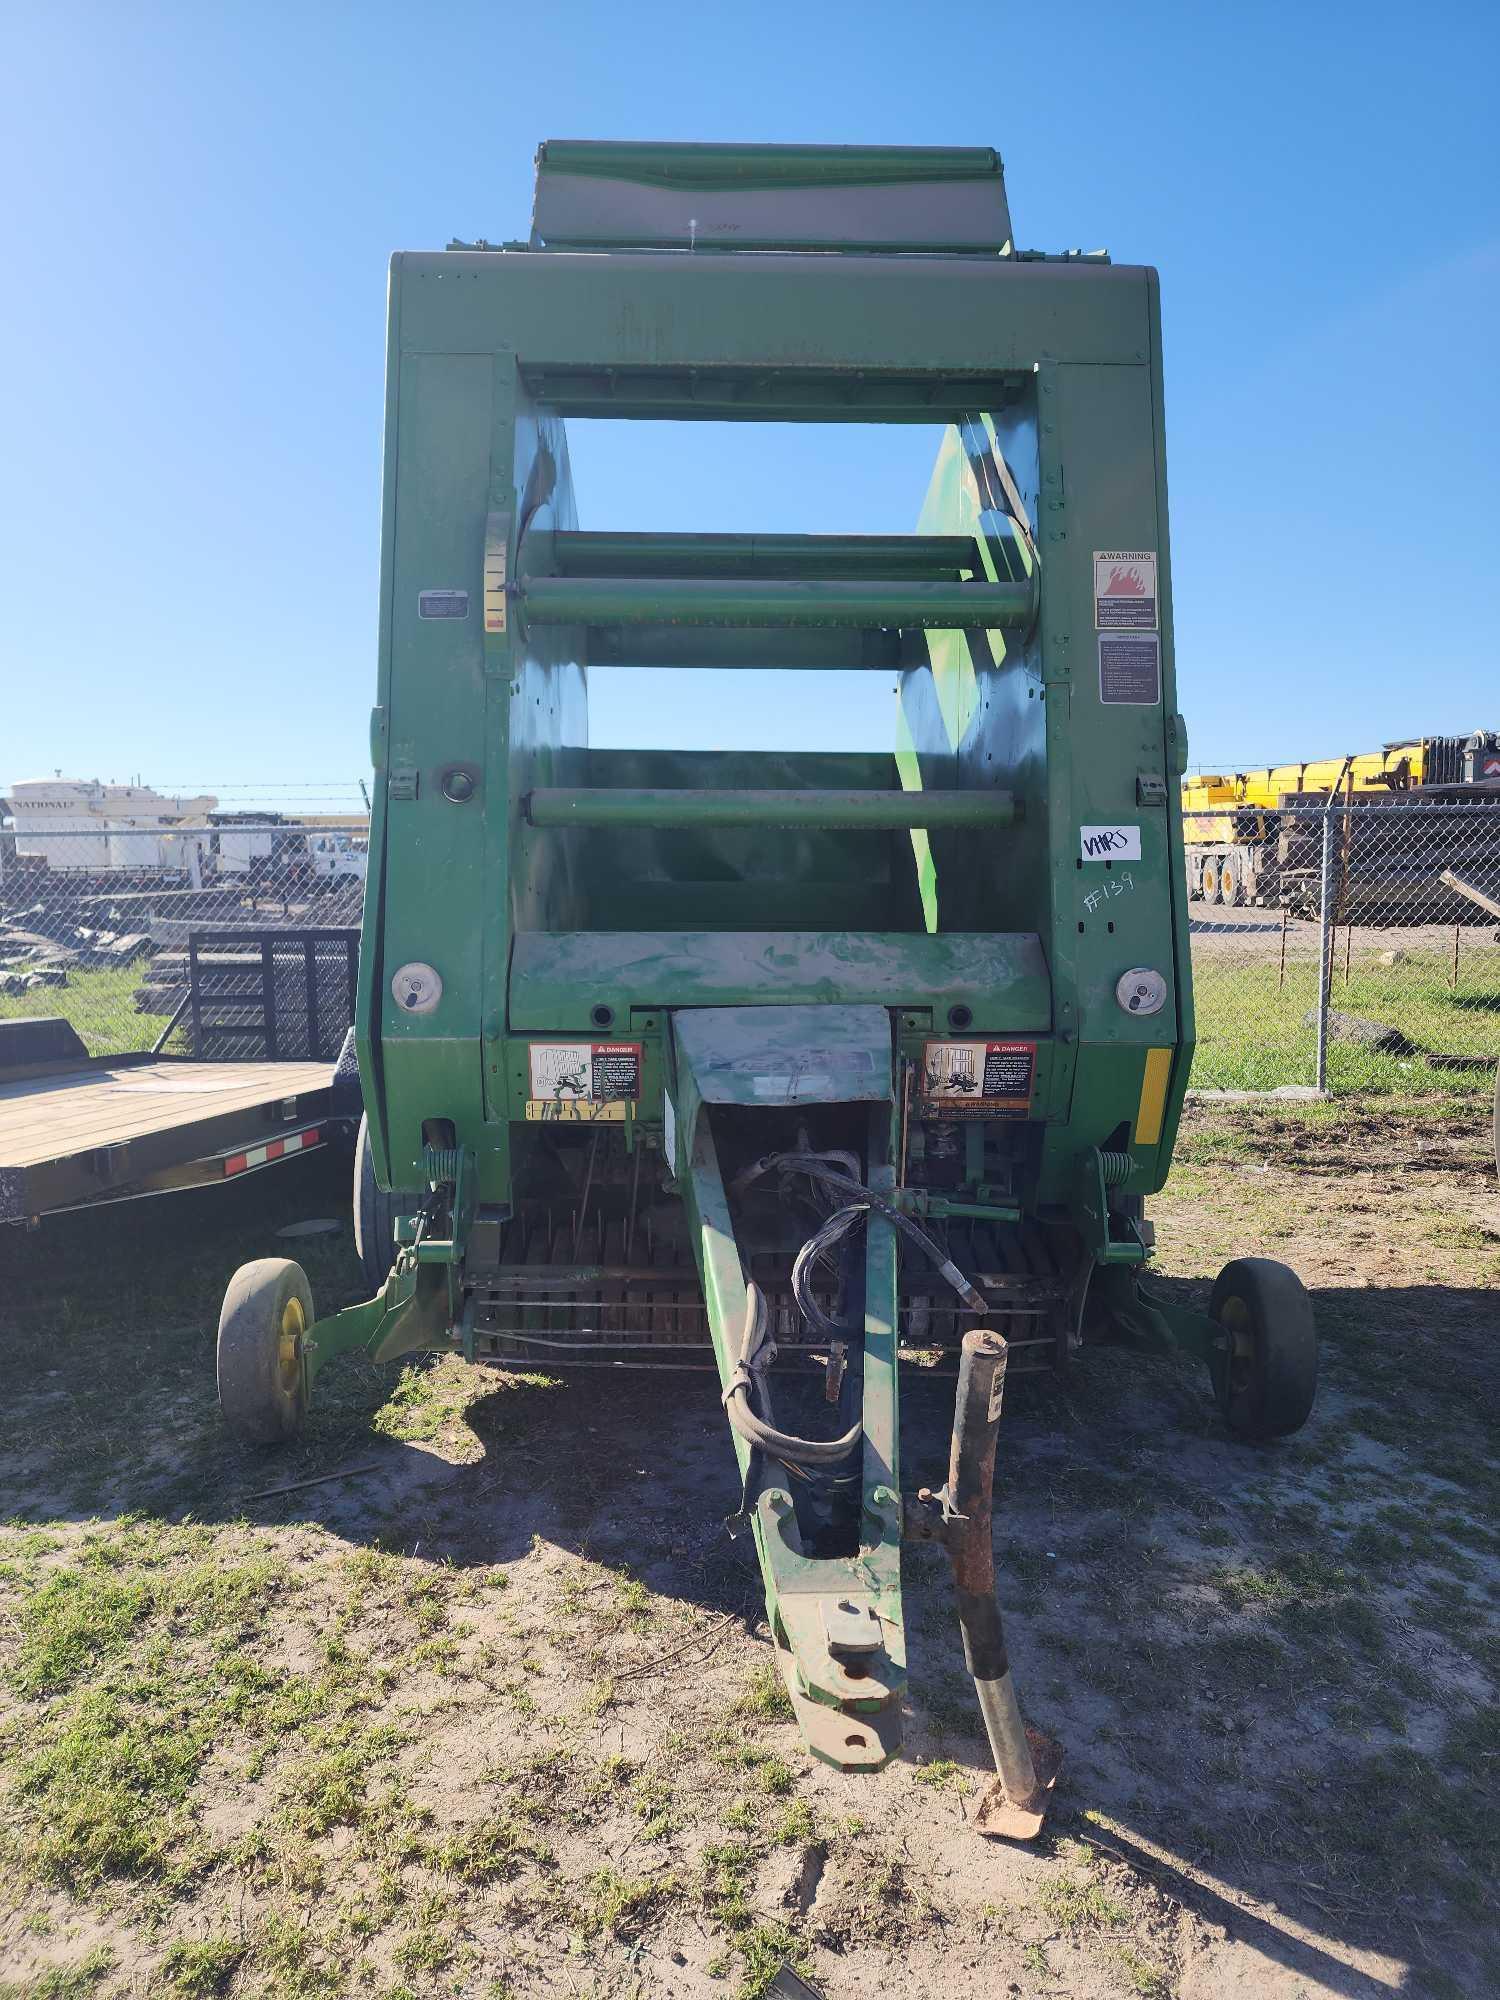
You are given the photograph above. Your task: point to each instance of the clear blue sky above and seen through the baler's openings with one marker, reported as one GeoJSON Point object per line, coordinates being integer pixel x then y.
{"type": "Point", "coordinates": [199, 211]}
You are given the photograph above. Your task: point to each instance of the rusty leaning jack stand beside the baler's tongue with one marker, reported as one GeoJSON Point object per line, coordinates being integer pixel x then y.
{"type": "Point", "coordinates": [1013, 1807]}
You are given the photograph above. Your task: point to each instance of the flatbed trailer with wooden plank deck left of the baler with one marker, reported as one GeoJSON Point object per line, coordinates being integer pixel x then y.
{"type": "Point", "coordinates": [79, 1131]}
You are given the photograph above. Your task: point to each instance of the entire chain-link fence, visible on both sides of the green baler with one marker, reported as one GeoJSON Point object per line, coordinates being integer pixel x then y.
{"type": "Point", "coordinates": [1345, 947]}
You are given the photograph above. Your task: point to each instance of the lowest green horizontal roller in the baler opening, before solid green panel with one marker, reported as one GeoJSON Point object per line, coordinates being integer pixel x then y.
{"type": "Point", "coordinates": [621, 807]}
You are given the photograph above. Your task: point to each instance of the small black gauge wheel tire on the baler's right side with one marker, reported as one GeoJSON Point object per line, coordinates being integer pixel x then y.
{"type": "Point", "coordinates": [1269, 1383]}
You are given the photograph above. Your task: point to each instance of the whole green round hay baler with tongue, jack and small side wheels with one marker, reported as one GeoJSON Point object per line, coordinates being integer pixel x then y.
{"type": "Point", "coordinates": [787, 1063]}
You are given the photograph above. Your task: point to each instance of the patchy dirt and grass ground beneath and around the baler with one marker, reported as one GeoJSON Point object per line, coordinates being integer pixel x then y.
{"type": "Point", "coordinates": [493, 1713]}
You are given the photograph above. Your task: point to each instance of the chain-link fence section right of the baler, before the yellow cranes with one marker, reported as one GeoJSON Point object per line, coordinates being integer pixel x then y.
{"type": "Point", "coordinates": [1347, 945]}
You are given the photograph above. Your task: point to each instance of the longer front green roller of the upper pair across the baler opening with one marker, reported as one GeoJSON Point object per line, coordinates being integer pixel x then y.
{"type": "Point", "coordinates": [699, 601]}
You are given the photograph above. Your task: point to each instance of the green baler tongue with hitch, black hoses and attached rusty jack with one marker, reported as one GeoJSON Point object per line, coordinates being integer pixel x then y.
{"type": "Point", "coordinates": [835, 1603]}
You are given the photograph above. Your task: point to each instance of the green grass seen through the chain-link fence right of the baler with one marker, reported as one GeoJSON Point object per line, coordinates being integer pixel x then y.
{"type": "Point", "coordinates": [1253, 1035]}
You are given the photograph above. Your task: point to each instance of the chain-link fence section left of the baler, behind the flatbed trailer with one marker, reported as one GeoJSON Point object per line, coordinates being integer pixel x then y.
{"type": "Point", "coordinates": [223, 941]}
